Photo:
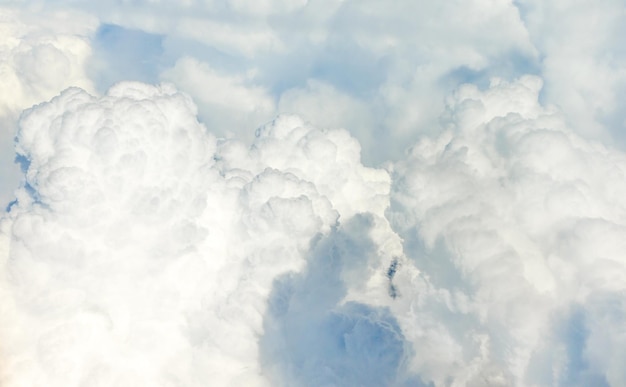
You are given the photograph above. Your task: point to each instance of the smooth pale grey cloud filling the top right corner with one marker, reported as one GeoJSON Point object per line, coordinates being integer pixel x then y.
{"type": "Point", "coordinates": [583, 60]}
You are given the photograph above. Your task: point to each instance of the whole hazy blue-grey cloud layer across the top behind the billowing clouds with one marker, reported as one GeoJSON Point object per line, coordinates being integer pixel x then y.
{"type": "Point", "coordinates": [380, 71]}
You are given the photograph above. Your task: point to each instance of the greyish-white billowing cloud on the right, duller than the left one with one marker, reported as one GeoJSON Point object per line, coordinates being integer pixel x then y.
{"type": "Point", "coordinates": [508, 219]}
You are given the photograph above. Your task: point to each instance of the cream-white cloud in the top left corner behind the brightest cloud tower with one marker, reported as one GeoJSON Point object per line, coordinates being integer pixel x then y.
{"type": "Point", "coordinates": [41, 55]}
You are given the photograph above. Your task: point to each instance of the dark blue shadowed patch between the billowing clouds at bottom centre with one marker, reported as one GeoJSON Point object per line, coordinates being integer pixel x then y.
{"type": "Point", "coordinates": [312, 338]}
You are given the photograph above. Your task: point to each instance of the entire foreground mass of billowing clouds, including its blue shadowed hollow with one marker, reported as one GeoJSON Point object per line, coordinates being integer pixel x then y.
{"type": "Point", "coordinates": [143, 250]}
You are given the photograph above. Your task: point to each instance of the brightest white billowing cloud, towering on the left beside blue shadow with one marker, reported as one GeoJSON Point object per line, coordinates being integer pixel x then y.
{"type": "Point", "coordinates": [142, 251]}
